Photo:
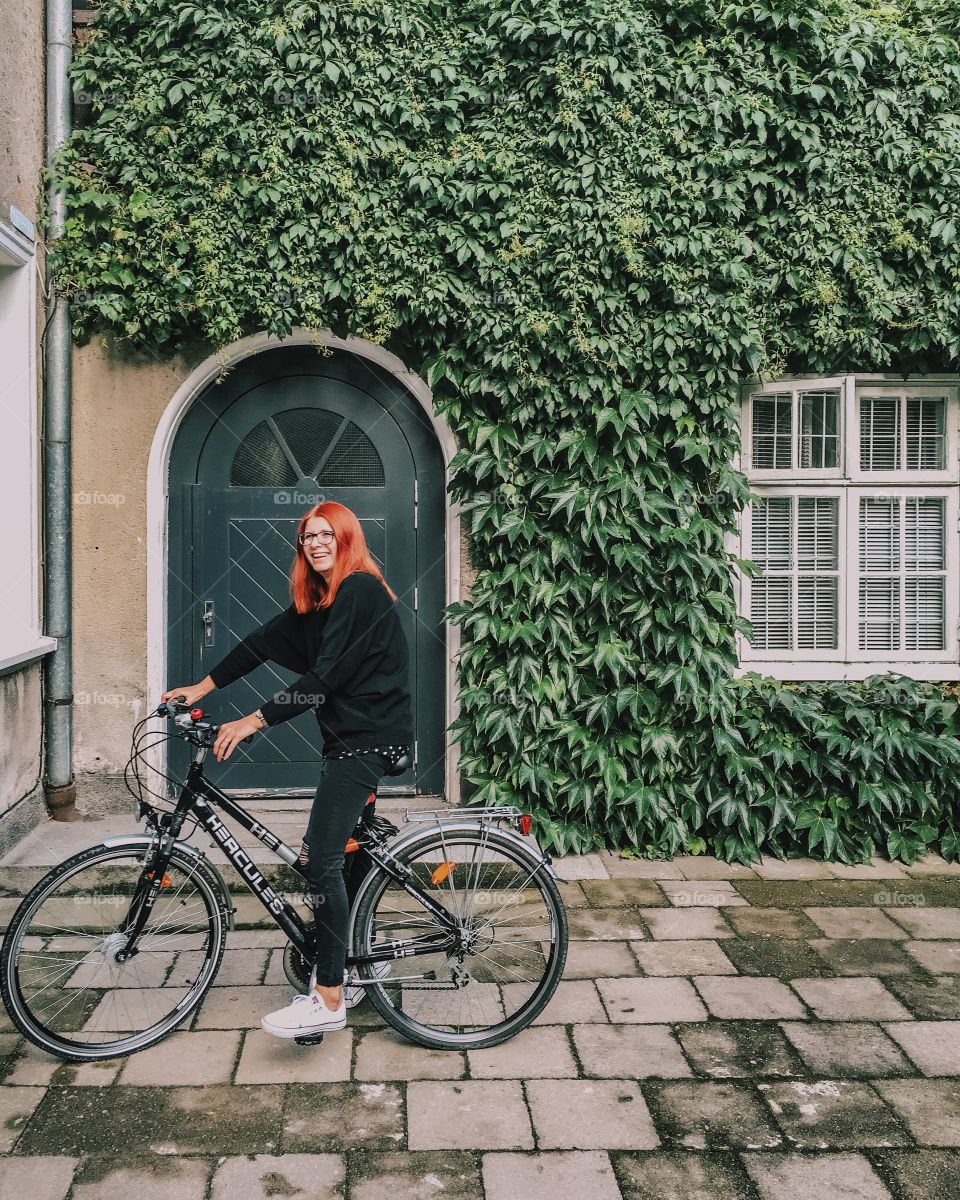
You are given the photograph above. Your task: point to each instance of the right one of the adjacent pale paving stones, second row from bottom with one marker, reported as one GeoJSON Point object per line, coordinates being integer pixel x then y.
{"type": "Point", "coordinates": [599, 1114]}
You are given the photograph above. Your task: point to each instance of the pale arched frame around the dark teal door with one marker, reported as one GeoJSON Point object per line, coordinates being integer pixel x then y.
{"type": "Point", "coordinates": [158, 533]}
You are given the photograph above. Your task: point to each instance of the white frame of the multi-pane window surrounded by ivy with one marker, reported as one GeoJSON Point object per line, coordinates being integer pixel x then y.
{"type": "Point", "coordinates": [850, 484]}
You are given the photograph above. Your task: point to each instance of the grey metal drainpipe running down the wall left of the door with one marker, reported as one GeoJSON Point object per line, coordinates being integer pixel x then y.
{"type": "Point", "coordinates": [59, 785]}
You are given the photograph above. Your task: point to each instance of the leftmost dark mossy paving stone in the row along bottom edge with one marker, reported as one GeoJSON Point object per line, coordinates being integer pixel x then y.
{"type": "Point", "coordinates": [415, 1175]}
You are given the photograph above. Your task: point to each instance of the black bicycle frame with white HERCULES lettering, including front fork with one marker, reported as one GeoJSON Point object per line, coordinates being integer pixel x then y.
{"type": "Point", "coordinates": [199, 800]}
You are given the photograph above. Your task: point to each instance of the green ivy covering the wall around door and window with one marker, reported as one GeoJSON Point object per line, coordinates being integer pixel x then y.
{"type": "Point", "coordinates": [584, 223]}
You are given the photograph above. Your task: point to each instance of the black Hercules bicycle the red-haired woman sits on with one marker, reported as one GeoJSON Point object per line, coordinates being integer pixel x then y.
{"type": "Point", "coordinates": [117, 947]}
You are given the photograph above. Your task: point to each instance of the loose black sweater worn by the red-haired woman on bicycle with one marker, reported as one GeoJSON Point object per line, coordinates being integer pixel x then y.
{"type": "Point", "coordinates": [355, 665]}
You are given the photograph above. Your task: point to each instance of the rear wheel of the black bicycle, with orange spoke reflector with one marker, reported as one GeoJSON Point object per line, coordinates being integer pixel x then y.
{"type": "Point", "coordinates": [496, 971]}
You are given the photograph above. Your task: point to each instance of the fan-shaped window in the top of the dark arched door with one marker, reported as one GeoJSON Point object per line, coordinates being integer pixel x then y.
{"type": "Point", "coordinates": [307, 443]}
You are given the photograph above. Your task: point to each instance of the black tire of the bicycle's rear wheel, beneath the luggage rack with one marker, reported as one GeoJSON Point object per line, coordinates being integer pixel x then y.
{"type": "Point", "coordinates": [428, 849]}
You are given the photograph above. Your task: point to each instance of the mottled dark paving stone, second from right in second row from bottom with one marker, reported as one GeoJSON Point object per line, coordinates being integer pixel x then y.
{"type": "Point", "coordinates": [833, 1114]}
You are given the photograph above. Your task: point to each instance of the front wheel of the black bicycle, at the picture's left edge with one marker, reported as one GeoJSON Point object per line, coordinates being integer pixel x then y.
{"type": "Point", "coordinates": [61, 979]}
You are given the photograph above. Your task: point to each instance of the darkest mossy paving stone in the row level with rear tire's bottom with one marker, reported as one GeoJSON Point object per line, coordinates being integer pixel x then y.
{"type": "Point", "coordinates": [739, 1051]}
